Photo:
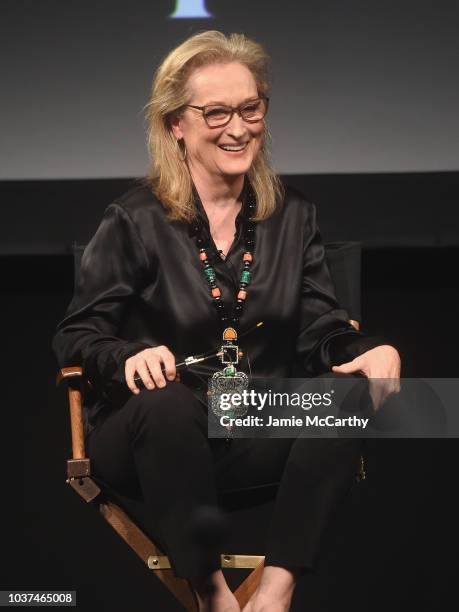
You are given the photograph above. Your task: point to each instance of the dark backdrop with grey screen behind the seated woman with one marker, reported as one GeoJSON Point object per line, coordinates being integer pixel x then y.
{"type": "Point", "coordinates": [376, 150]}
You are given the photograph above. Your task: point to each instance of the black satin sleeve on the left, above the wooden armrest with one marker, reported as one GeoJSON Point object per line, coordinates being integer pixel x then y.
{"type": "Point", "coordinates": [112, 270]}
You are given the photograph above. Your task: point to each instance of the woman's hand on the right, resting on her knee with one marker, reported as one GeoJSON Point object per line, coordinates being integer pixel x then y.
{"type": "Point", "coordinates": [382, 366]}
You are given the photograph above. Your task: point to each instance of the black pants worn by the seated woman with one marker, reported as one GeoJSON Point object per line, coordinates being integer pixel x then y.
{"type": "Point", "coordinates": [159, 441]}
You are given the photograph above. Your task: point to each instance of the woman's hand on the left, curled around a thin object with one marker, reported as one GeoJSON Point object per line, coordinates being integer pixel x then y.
{"type": "Point", "coordinates": [148, 365]}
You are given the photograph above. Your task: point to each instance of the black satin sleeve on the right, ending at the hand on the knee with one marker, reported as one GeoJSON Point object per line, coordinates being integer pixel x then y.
{"type": "Point", "coordinates": [326, 338]}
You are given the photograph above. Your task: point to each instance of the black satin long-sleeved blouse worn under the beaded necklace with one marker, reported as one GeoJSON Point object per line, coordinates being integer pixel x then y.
{"type": "Point", "coordinates": [141, 284]}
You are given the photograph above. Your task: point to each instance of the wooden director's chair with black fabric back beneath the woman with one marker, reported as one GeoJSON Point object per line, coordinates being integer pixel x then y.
{"type": "Point", "coordinates": [125, 515]}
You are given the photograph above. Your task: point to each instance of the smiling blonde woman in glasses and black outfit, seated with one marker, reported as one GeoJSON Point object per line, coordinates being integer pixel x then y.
{"type": "Point", "coordinates": [209, 241]}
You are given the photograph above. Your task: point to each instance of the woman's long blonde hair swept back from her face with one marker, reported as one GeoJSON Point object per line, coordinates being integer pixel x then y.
{"type": "Point", "coordinates": [169, 175]}
